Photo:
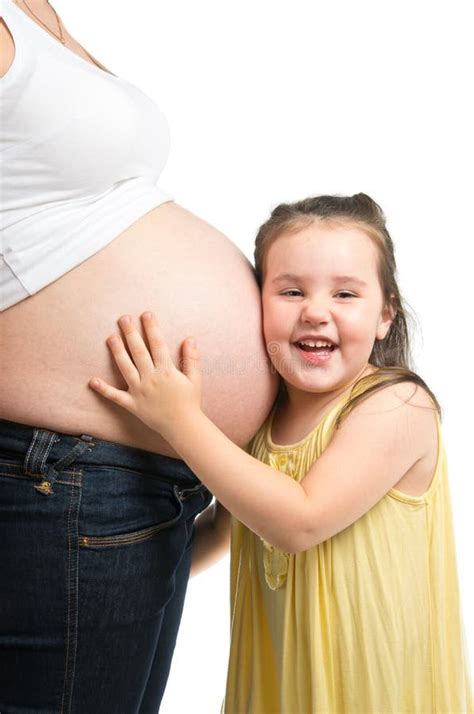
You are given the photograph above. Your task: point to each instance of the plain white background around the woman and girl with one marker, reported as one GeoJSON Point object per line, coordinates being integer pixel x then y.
{"type": "Point", "coordinates": [272, 101]}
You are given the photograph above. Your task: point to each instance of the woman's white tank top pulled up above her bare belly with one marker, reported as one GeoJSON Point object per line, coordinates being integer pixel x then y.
{"type": "Point", "coordinates": [81, 151]}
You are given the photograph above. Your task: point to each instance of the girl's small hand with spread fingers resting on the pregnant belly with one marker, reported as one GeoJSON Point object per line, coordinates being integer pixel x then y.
{"type": "Point", "coordinates": [158, 393]}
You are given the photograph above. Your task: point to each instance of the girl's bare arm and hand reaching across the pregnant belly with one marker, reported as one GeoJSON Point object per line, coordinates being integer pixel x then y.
{"type": "Point", "coordinates": [371, 451]}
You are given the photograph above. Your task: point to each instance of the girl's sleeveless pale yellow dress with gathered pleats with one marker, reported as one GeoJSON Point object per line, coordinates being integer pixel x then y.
{"type": "Point", "coordinates": [367, 622]}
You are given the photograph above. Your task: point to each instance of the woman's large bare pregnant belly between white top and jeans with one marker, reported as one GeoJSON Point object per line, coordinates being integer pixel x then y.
{"type": "Point", "coordinates": [193, 278]}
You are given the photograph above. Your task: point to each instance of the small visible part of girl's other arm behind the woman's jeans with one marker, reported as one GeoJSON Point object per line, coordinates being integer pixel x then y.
{"type": "Point", "coordinates": [212, 537]}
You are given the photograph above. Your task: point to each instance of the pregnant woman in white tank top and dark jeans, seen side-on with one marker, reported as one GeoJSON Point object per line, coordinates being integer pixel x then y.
{"type": "Point", "coordinates": [97, 511]}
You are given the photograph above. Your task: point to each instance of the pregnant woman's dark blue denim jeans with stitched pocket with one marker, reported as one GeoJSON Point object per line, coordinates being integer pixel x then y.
{"type": "Point", "coordinates": [95, 550]}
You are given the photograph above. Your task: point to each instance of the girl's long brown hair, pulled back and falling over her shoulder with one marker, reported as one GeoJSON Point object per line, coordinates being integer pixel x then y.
{"type": "Point", "coordinates": [392, 355]}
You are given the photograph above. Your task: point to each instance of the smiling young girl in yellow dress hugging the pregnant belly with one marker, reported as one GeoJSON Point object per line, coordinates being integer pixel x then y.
{"type": "Point", "coordinates": [344, 585]}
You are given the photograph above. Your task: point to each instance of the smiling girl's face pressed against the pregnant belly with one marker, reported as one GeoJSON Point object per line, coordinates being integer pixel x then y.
{"type": "Point", "coordinates": [321, 284]}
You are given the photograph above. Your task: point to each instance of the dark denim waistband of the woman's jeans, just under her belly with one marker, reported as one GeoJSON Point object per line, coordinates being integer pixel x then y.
{"type": "Point", "coordinates": [19, 439]}
